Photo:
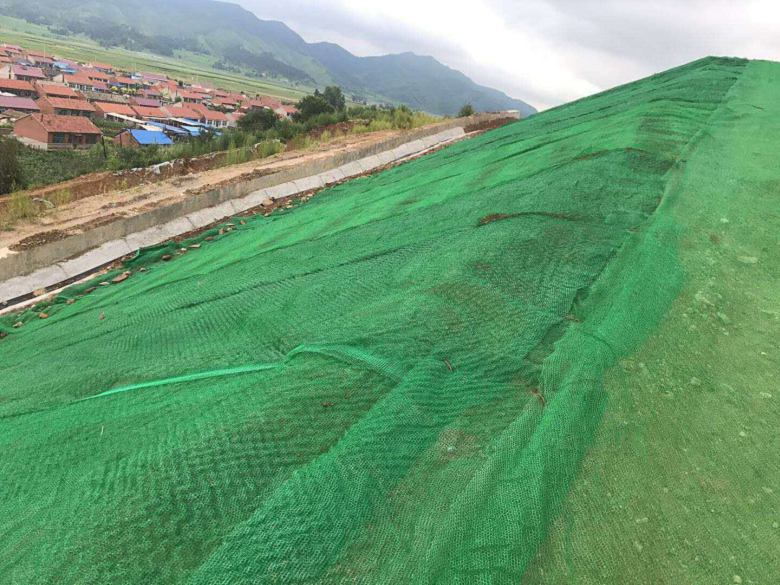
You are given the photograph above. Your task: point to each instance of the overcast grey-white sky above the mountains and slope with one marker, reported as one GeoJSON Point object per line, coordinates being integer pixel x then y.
{"type": "Point", "coordinates": [545, 52]}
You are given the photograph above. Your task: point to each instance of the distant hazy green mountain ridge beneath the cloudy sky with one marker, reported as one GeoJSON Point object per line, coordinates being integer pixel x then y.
{"type": "Point", "coordinates": [237, 39]}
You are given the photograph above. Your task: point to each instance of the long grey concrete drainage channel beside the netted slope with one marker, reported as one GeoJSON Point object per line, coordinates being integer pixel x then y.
{"type": "Point", "coordinates": [65, 261]}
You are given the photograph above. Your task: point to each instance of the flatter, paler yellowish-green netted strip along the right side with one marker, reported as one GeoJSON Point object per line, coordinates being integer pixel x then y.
{"type": "Point", "coordinates": [682, 484]}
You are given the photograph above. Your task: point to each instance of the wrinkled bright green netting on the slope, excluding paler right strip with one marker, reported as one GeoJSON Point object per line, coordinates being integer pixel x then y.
{"type": "Point", "coordinates": [393, 383]}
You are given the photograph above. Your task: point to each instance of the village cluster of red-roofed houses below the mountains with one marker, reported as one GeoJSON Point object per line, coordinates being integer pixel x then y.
{"type": "Point", "coordinates": [52, 103]}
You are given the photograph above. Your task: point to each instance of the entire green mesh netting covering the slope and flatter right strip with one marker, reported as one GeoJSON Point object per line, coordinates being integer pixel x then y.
{"type": "Point", "coordinates": [548, 354]}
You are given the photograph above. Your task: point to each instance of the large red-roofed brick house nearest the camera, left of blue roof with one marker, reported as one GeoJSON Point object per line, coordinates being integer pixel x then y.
{"type": "Point", "coordinates": [56, 132]}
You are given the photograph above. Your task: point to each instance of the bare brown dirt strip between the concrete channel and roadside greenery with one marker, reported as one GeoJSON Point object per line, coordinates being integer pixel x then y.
{"type": "Point", "coordinates": [83, 214]}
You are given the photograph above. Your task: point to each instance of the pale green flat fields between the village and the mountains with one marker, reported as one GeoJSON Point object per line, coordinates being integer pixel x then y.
{"type": "Point", "coordinates": [187, 66]}
